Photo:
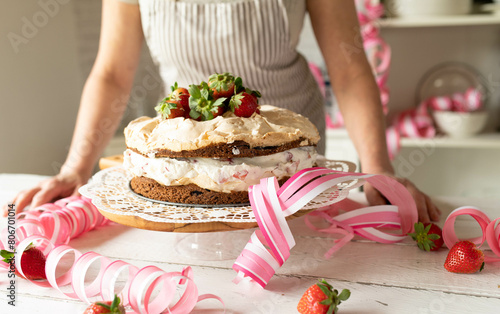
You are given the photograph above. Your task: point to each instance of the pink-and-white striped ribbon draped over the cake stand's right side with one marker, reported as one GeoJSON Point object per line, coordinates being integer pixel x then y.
{"type": "Point", "coordinates": [269, 246]}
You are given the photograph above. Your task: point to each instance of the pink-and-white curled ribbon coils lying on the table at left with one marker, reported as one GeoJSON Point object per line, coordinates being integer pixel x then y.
{"type": "Point", "coordinates": [51, 226]}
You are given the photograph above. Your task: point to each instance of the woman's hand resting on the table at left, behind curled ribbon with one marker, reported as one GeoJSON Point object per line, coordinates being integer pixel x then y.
{"type": "Point", "coordinates": [59, 186]}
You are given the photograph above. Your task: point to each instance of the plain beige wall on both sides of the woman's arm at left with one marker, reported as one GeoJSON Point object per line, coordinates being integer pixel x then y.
{"type": "Point", "coordinates": [42, 76]}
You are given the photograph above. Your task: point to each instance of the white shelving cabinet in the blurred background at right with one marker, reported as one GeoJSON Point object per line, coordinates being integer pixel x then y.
{"type": "Point", "coordinates": [441, 166]}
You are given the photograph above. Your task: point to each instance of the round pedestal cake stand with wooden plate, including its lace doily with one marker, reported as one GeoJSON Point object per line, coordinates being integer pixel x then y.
{"type": "Point", "coordinates": [200, 230]}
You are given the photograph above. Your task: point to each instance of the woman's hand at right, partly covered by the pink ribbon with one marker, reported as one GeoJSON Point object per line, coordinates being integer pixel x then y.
{"type": "Point", "coordinates": [427, 210]}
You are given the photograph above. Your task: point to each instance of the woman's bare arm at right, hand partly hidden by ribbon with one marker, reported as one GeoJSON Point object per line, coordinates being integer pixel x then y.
{"type": "Point", "coordinates": [336, 28]}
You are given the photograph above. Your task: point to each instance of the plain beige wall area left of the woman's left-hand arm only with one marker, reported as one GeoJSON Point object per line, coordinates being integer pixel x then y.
{"type": "Point", "coordinates": [40, 84]}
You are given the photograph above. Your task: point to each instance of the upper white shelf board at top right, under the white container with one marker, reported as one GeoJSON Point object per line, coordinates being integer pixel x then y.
{"type": "Point", "coordinates": [462, 20]}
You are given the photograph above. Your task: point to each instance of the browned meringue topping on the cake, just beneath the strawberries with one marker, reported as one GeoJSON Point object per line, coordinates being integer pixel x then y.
{"type": "Point", "coordinates": [272, 127]}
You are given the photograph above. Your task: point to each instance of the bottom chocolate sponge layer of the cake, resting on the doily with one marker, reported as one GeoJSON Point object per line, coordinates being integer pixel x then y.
{"type": "Point", "coordinates": [186, 194]}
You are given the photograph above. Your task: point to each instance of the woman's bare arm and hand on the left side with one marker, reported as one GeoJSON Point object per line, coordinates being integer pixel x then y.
{"type": "Point", "coordinates": [103, 102]}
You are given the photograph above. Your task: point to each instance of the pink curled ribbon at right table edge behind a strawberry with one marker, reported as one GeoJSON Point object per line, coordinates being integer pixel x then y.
{"type": "Point", "coordinates": [490, 230]}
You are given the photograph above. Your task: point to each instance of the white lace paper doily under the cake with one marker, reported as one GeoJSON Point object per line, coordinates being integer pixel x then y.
{"type": "Point", "coordinates": [110, 193]}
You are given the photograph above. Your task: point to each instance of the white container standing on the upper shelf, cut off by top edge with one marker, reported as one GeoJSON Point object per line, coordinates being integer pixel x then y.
{"type": "Point", "coordinates": [422, 8]}
